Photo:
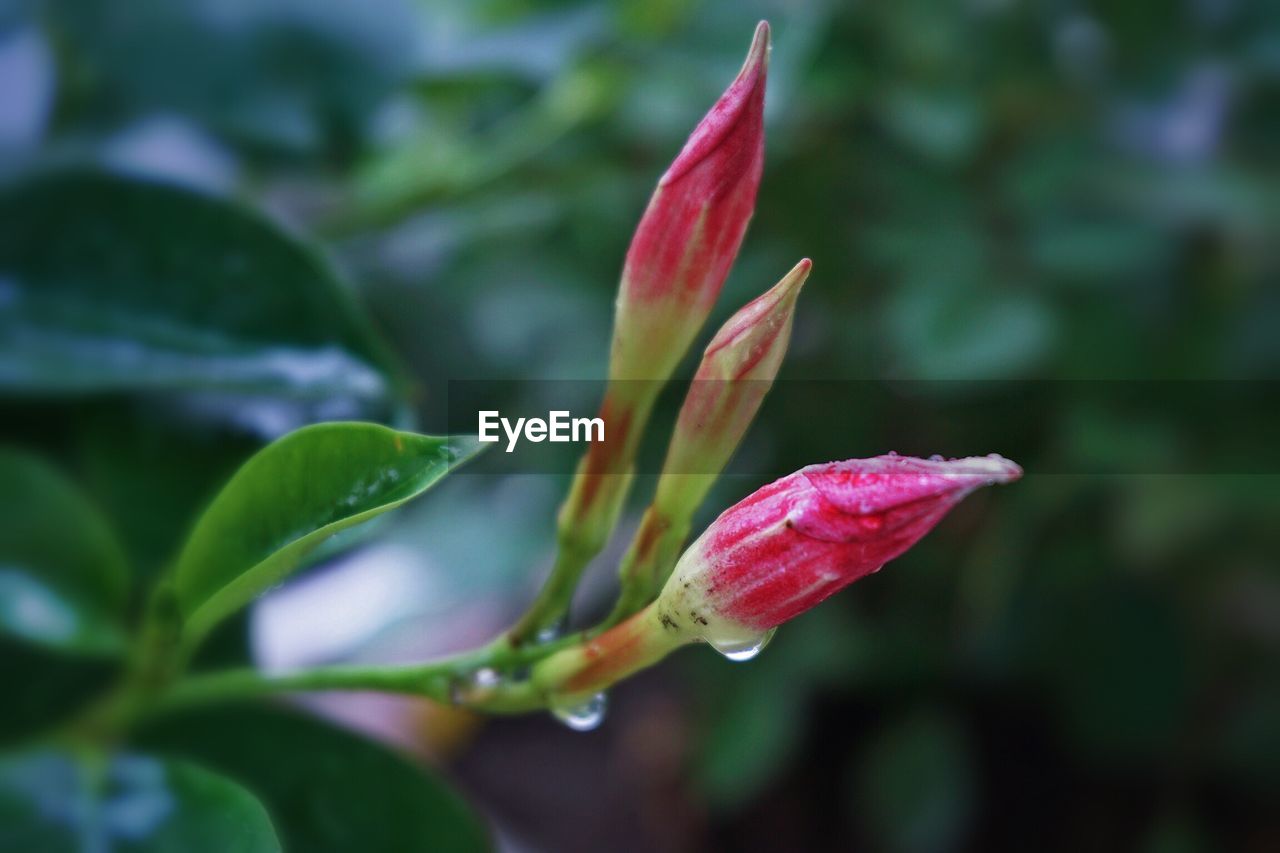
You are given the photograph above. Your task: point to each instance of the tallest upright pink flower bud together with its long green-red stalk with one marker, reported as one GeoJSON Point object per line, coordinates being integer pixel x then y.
{"type": "Point", "coordinates": [679, 259]}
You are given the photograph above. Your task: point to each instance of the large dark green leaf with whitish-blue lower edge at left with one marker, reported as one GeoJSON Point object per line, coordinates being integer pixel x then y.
{"type": "Point", "coordinates": [116, 285]}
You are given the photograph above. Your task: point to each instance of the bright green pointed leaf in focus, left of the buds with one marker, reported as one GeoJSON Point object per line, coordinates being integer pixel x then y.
{"type": "Point", "coordinates": [292, 496]}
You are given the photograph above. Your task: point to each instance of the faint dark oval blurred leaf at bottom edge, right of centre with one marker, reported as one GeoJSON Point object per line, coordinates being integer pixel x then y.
{"type": "Point", "coordinates": [915, 788]}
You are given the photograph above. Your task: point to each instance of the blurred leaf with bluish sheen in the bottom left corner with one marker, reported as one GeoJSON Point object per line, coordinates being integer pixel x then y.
{"type": "Point", "coordinates": [52, 802]}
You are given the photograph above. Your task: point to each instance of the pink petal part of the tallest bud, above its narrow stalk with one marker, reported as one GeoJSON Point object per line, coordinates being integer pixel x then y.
{"type": "Point", "coordinates": [691, 234]}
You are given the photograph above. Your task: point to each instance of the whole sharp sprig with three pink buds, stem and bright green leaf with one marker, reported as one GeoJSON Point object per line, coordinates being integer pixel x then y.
{"type": "Point", "coordinates": [766, 560]}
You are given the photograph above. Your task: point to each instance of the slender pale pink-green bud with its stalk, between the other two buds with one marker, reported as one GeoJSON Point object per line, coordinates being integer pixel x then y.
{"type": "Point", "coordinates": [738, 371]}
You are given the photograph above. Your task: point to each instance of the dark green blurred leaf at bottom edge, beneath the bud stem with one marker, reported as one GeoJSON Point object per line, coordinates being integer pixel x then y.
{"type": "Point", "coordinates": [327, 790]}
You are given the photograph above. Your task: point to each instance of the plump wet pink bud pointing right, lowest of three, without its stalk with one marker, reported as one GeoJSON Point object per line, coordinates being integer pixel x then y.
{"type": "Point", "coordinates": [793, 544]}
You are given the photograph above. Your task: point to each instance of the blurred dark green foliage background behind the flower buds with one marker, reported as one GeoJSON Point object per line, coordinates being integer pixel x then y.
{"type": "Point", "coordinates": [1032, 191]}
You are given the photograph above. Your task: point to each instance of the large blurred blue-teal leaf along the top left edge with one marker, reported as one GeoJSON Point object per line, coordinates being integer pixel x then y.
{"type": "Point", "coordinates": [285, 75]}
